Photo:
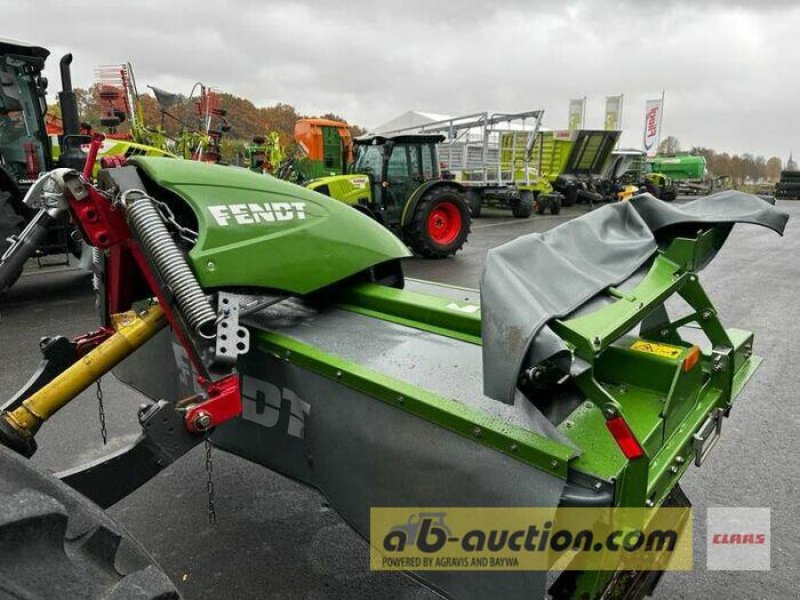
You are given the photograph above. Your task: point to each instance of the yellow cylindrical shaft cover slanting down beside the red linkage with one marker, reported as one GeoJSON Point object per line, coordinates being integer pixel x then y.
{"type": "Point", "coordinates": [132, 331]}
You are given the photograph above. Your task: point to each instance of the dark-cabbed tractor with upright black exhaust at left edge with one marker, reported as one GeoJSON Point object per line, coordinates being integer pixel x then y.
{"type": "Point", "coordinates": [26, 150]}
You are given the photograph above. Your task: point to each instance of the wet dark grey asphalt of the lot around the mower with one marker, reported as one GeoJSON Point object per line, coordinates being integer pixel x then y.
{"type": "Point", "coordinates": [275, 539]}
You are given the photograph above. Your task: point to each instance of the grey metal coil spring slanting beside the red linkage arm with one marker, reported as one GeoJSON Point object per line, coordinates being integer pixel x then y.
{"type": "Point", "coordinates": [146, 221]}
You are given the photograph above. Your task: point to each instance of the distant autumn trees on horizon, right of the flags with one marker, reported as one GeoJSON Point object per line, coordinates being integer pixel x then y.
{"type": "Point", "coordinates": [744, 168]}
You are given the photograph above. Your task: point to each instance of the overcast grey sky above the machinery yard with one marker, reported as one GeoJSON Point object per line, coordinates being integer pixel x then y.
{"type": "Point", "coordinates": [728, 68]}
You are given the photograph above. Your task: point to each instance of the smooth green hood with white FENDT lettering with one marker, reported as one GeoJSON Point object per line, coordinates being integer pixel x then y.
{"type": "Point", "coordinates": [259, 231]}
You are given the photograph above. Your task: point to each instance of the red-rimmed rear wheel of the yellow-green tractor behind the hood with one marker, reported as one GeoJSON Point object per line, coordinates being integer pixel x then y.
{"type": "Point", "coordinates": [440, 224]}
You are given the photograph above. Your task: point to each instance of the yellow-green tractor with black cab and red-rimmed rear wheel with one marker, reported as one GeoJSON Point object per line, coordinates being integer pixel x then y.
{"type": "Point", "coordinates": [397, 181]}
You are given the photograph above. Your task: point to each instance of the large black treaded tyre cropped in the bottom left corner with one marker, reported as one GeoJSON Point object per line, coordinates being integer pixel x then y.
{"type": "Point", "coordinates": [54, 543]}
